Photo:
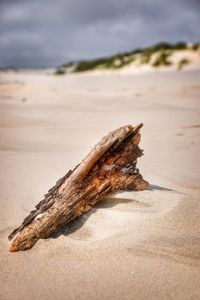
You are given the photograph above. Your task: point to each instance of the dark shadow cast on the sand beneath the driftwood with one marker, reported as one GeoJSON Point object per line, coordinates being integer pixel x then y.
{"type": "Point", "coordinates": [108, 202]}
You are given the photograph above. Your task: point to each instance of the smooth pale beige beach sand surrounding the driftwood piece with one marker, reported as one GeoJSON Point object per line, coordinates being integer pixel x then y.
{"type": "Point", "coordinates": [137, 245]}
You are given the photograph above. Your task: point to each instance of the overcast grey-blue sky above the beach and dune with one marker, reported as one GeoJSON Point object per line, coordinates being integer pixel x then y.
{"type": "Point", "coordinates": [48, 33]}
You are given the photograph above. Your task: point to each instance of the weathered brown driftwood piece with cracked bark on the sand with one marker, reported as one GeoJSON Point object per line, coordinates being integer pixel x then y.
{"type": "Point", "coordinates": [109, 167]}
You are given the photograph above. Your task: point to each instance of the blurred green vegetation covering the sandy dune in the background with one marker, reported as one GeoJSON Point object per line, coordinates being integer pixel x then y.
{"type": "Point", "coordinates": [157, 56]}
